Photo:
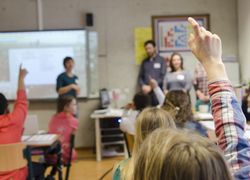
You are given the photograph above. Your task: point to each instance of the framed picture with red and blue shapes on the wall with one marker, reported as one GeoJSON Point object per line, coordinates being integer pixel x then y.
{"type": "Point", "coordinates": [171, 33]}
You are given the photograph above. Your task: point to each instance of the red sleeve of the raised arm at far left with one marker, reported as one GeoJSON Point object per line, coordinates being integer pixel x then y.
{"type": "Point", "coordinates": [20, 107]}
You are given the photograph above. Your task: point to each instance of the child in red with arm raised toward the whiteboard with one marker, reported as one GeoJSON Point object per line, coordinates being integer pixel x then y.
{"type": "Point", "coordinates": [11, 129]}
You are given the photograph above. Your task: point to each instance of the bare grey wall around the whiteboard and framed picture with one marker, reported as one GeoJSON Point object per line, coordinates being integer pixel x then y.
{"type": "Point", "coordinates": [114, 20]}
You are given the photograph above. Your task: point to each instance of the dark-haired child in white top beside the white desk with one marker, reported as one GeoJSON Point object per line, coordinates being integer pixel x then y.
{"type": "Point", "coordinates": [140, 101]}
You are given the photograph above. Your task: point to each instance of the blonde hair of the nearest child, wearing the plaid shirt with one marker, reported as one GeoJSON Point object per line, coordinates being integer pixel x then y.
{"type": "Point", "coordinates": [170, 154]}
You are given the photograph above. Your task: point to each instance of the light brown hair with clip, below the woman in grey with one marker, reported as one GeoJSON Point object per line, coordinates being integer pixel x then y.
{"type": "Point", "coordinates": [177, 104]}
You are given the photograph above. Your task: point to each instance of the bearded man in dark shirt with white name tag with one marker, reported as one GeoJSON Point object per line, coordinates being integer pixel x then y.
{"type": "Point", "coordinates": [154, 66]}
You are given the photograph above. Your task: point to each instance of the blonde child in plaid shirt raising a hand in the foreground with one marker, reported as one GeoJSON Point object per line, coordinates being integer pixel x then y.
{"type": "Point", "coordinates": [189, 157]}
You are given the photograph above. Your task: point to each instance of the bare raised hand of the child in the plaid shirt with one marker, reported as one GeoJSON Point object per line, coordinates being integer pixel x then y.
{"type": "Point", "coordinates": [207, 48]}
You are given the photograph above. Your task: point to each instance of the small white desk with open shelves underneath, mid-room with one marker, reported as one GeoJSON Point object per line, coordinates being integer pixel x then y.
{"type": "Point", "coordinates": [114, 113]}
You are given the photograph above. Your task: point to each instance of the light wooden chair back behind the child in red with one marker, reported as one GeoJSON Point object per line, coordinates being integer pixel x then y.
{"type": "Point", "coordinates": [15, 156]}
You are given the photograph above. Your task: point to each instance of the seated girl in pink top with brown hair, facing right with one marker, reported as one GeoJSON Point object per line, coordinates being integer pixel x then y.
{"type": "Point", "coordinates": [64, 123]}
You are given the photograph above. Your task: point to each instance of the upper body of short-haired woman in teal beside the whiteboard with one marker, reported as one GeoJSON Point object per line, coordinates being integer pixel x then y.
{"type": "Point", "coordinates": [67, 82]}
